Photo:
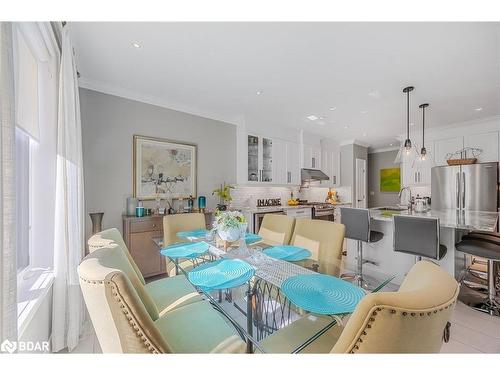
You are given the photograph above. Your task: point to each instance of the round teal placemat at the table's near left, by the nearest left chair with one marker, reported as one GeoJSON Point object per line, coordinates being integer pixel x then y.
{"type": "Point", "coordinates": [221, 274]}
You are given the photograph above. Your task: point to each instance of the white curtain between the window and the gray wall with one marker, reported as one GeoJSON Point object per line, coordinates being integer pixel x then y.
{"type": "Point", "coordinates": [67, 317]}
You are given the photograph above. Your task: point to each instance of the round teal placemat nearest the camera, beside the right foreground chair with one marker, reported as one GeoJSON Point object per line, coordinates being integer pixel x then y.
{"type": "Point", "coordinates": [322, 294]}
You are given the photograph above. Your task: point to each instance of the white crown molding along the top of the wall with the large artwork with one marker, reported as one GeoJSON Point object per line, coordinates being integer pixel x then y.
{"type": "Point", "coordinates": [121, 92]}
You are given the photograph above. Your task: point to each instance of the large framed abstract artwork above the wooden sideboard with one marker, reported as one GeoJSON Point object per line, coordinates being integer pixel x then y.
{"type": "Point", "coordinates": [163, 168]}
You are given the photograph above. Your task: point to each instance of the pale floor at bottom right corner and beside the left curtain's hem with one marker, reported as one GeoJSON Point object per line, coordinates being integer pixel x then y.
{"type": "Point", "coordinates": [471, 332]}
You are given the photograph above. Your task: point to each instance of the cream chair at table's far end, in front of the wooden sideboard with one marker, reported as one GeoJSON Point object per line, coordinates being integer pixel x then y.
{"type": "Point", "coordinates": [172, 224]}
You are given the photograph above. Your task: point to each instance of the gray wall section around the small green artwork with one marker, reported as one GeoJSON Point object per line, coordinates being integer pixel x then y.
{"type": "Point", "coordinates": [377, 161]}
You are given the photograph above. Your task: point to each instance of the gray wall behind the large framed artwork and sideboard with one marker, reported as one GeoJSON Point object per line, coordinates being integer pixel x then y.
{"type": "Point", "coordinates": [108, 124]}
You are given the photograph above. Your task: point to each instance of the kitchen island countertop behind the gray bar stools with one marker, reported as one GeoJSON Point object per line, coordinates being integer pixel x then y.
{"type": "Point", "coordinates": [468, 220]}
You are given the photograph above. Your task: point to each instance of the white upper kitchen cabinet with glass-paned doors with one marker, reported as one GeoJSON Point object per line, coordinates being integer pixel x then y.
{"type": "Point", "coordinates": [260, 159]}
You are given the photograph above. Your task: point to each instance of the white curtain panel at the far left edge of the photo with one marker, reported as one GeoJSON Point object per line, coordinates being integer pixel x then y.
{"type": "Point", "coordinates": [8, 268]}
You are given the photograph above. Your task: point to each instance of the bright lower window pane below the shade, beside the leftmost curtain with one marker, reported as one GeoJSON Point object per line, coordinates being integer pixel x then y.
{"type": "Point", "coordinates": [23, 199]}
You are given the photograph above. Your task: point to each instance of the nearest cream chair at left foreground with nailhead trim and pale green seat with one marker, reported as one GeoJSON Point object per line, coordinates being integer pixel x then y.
{"type": "Point", "coordinates": [126, 321]}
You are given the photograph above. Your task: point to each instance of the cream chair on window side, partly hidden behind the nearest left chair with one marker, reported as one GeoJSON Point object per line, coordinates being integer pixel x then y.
{"type": "Point", "coordinates": [167, 293]}
